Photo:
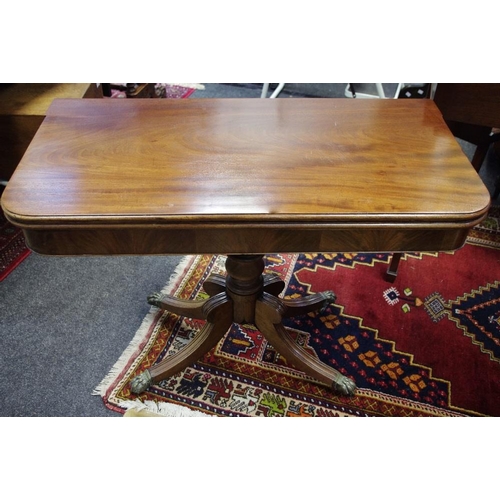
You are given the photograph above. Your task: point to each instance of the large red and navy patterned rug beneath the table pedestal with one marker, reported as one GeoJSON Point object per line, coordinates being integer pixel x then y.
{"type": "Point", "coordinates": [426, 345]}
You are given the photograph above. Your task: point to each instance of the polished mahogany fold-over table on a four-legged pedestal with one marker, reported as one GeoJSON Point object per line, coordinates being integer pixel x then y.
{"type": "Point", "coordinates": [244, 178]}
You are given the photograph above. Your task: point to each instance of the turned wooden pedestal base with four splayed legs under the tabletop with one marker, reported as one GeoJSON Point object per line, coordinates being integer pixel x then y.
{"type": "Point", "coordinates": [245, 296]}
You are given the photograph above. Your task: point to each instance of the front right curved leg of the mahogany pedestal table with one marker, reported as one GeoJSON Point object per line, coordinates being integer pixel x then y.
{"type": "Point", "coordinates": [268, 315]}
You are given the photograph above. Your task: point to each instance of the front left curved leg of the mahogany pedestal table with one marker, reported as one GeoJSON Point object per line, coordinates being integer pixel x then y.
{"type": "Point", "coordinates": [218, 311]}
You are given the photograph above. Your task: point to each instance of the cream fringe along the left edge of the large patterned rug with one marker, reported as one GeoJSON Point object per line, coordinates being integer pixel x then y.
{"type": "Point", "coordinates": [139, 336]}
